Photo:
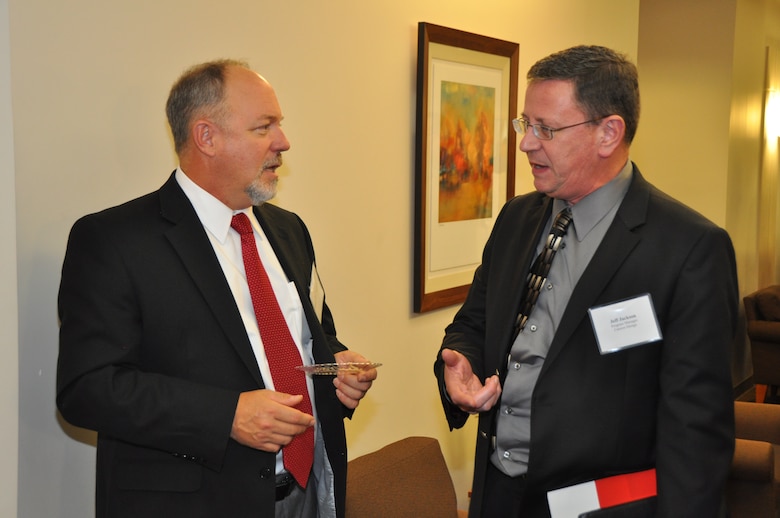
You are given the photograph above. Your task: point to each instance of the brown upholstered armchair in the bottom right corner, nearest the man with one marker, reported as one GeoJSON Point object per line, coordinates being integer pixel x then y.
{"type": "Point", "coordinates": [753, 489]}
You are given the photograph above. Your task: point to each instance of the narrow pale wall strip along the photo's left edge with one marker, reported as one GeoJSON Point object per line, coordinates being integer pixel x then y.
{"type": "Point", "coordinates": [9, 353]}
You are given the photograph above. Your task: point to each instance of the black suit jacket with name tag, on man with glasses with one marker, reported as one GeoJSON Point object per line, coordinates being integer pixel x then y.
{"type": "Point", "coordinates": [666, 405]}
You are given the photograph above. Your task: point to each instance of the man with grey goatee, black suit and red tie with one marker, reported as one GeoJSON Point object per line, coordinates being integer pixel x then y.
{"type": "Point", "coordinates": [160, 348]}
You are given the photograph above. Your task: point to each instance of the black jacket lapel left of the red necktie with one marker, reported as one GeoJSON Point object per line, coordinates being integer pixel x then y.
{"type": "Point", "coordinates": [190, 242]}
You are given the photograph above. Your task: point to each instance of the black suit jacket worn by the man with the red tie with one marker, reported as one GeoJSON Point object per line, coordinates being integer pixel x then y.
{"type": "Point", "coordinates": [153, 355]}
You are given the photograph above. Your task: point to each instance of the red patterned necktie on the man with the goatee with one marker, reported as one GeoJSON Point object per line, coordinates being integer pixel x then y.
{"type": "Point", "coordinates": [282, 354]}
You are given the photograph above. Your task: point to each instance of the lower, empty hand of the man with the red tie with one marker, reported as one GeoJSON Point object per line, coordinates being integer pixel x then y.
{"type": "Point", "coordinates": [267, 420]}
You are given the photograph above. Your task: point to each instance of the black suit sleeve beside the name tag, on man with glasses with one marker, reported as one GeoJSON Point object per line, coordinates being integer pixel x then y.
{"type": "Point", "coordinates": [695, 430]}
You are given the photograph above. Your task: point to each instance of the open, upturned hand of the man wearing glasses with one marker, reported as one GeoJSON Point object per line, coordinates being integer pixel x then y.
{"type": "Point", "coordinates": [463, 386]}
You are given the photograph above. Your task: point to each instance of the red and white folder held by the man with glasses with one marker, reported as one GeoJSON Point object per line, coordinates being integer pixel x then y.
{"type": "Point", "coordinates": [570, 502]}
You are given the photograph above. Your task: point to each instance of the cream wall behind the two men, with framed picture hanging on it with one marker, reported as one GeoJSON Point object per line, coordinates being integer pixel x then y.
{"type": "Point", "coordinates": [89, 80]}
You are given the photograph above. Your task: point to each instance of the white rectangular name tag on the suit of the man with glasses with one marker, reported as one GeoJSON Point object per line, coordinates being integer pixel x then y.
{"type": "Point", "coordinates": [626, 323]}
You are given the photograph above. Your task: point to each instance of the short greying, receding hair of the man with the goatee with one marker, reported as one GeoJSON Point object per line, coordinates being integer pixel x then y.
{"type": "Point", "coordinates": [199, 92]}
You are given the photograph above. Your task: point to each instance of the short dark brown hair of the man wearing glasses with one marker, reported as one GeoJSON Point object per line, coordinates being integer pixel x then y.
{"type": "Point", "coordinates": [605, 81]}
